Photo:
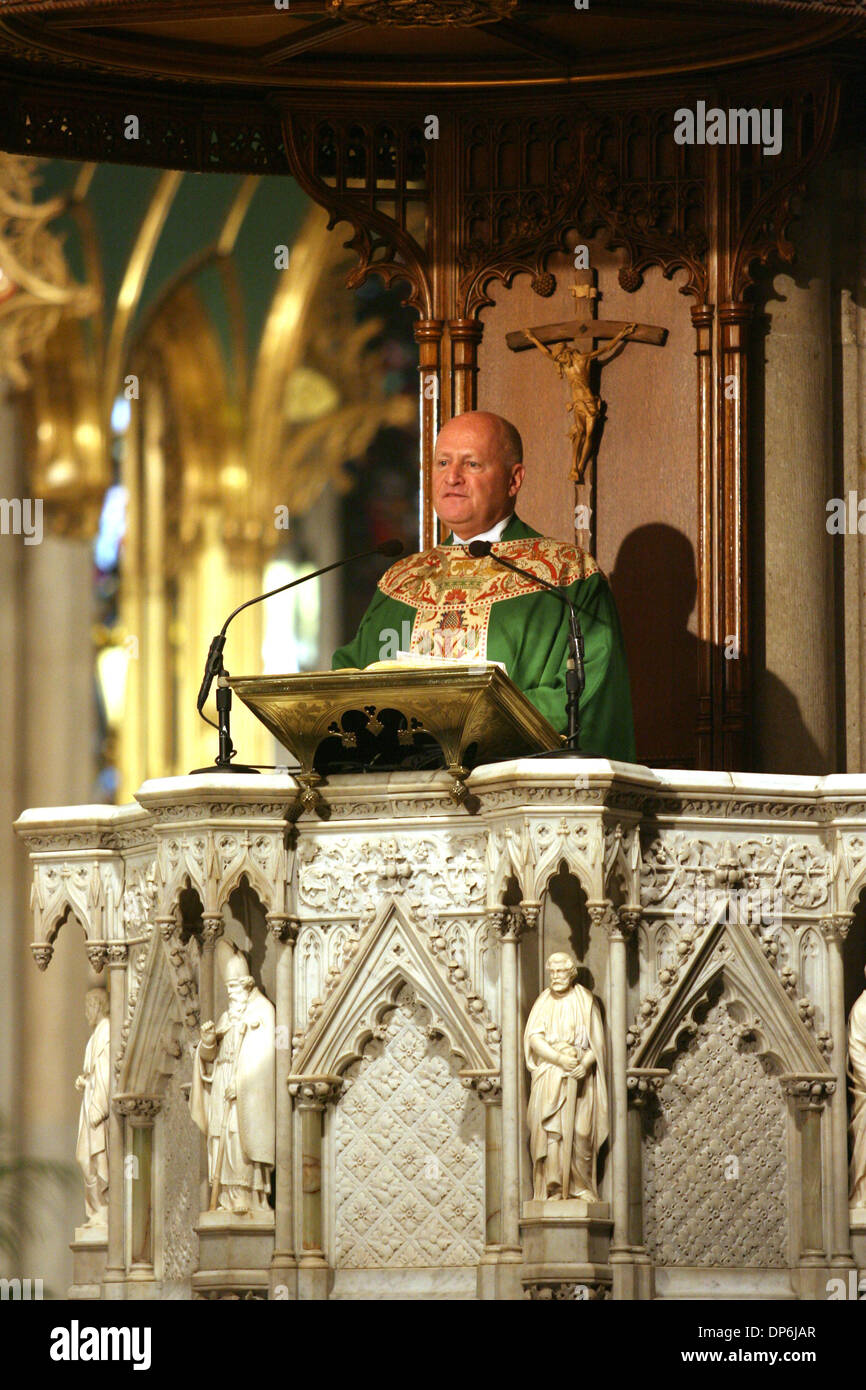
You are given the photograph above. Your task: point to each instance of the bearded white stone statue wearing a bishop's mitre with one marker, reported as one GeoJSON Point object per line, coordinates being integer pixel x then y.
{"type": "Point", "coordinates": [233, 1097]}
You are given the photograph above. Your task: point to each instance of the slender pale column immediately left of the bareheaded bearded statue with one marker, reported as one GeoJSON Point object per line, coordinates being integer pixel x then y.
{"type": "Point", "coordinates": [511, 924]}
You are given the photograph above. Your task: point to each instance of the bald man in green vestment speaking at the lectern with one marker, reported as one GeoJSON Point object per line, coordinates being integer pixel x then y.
{"type": "Point", "coordinates": [446, 604]}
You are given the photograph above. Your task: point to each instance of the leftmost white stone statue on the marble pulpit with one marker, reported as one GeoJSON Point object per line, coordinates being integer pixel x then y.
{"type": "Point", "coordinates": [92, 1147]}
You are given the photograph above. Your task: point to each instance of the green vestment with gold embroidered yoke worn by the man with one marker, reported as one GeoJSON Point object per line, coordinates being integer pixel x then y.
{"type": "Point", "coordinates": [446, 604]}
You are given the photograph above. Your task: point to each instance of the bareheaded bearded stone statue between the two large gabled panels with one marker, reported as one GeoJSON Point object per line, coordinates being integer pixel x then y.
{"type": "Point", "coordinates": [568, 1114]}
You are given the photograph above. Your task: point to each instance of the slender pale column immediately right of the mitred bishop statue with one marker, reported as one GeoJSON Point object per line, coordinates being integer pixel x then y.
{"type": "Point", "coordinates": [284, 1266]}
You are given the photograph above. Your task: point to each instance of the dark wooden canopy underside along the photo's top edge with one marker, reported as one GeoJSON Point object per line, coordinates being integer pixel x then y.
{"type": "Point", "coordinates": [387, 45]}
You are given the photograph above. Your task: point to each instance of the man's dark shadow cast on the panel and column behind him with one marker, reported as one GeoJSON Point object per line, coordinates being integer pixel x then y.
{"type": "Point", "coordinates": [655, 586]}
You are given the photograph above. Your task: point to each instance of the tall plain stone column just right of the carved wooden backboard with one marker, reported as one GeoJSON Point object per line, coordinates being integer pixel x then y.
{"type": "Point", "coordinates": [797, 701]}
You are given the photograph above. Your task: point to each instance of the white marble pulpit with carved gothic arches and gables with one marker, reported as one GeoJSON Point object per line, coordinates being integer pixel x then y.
{"type": "Point", "coordinates": [401, 939]}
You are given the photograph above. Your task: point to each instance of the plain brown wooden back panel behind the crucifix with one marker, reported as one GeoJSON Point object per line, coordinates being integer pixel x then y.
{"type": "Point", "coordinates": [647, 479]}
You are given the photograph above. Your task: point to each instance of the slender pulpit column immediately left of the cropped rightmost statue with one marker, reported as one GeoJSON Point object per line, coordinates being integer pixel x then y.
{"type": "Point", "coordinates": [836, 931]}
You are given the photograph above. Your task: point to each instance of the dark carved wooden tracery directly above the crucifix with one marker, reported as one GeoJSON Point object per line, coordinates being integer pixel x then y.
{"type": "Point", "coordinates": [529, 181]}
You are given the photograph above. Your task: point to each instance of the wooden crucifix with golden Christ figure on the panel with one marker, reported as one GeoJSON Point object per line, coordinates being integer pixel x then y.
{"type": "Point", "coordinates": [575, 366]}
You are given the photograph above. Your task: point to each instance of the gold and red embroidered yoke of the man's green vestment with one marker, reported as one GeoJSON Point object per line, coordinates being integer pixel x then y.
{"type": "Point", "coordinates": [454, 594]}
